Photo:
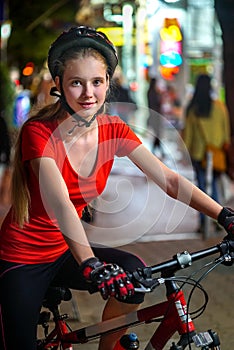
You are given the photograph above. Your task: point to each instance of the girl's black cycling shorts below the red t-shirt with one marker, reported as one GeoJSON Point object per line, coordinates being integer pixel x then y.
{"type": "Point", "coordinates": [23, 286]}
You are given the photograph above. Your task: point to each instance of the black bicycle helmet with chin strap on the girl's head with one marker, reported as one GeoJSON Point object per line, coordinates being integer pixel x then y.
{"type": "Point", "coordinates": [75, 38]}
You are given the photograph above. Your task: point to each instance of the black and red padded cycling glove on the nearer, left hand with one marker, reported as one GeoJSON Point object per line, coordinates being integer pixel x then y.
{"type": "Point", "coordinates": [110, 279]}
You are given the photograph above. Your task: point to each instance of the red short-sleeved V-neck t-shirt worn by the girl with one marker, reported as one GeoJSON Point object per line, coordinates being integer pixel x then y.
{"type": "Point", "coordinates": [40, 240]}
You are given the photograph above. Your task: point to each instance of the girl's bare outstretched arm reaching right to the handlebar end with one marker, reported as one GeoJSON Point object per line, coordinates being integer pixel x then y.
{"type": "Point", "coordinates": [175, 185]}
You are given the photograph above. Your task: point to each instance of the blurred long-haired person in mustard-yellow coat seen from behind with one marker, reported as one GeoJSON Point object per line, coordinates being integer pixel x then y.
{"type": "Point", "coordinates": [206, 121]}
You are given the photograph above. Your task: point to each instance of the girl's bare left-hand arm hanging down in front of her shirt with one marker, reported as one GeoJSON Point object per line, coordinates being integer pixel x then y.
{"type": "Point", "coordinates": [55, 195]}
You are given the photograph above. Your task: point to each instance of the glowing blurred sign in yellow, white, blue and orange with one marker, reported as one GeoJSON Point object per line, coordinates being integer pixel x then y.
{"type": "Point", "coordinates": [170, 48]}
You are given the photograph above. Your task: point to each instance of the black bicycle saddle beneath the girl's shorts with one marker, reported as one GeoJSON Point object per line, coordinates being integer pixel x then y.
{"type": "Point", "coordinates": [55, 295]}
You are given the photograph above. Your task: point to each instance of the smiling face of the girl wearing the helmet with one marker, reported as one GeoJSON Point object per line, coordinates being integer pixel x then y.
{"type": "Point", "coordinates": [85, 84]}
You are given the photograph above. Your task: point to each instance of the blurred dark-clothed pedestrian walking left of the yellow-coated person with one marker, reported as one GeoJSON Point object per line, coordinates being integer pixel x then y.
{"type": "Point", "coordinates": [154, 122]}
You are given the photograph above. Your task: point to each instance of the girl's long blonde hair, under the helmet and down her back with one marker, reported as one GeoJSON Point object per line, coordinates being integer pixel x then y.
{"type": "Point", "coordinates": [20, 195]}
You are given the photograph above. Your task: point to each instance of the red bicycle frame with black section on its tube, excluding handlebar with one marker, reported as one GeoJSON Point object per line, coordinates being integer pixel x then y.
{"type": "Point", "coordinates": [173, 311]}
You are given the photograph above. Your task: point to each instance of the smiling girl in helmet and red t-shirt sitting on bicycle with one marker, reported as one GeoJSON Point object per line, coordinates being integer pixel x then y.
{"type": "Point", "coordinates": [62, 161]}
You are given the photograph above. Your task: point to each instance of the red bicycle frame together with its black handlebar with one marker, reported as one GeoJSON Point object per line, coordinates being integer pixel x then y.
{"type": "Point", "coordinates": [173, 312]}
